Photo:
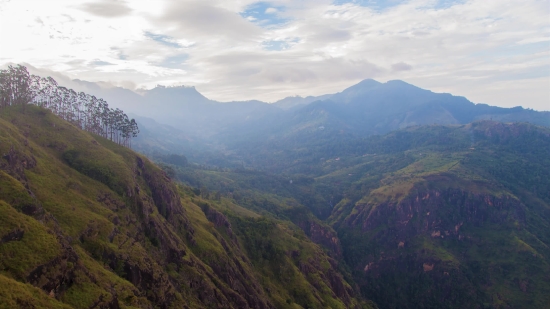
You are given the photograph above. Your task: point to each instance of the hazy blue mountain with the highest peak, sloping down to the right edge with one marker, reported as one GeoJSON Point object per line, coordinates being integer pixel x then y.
{"type": "Point", "coordinates": [370, 108]}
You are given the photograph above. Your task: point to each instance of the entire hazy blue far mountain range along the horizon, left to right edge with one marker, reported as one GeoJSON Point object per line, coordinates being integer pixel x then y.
{"type": "Point", "coordinates": [367, 108]}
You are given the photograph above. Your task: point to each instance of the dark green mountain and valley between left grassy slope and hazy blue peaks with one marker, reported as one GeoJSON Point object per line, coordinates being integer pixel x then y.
{"type": "Point", "coordinates": [427, 217]}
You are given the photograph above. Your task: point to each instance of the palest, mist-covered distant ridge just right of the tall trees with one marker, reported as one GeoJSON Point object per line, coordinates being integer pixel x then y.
{"type": "Point", "coordinates": [181, 107]}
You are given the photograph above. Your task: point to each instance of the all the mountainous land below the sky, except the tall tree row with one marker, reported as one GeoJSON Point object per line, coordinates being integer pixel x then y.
{"type": "Point", "coordinates": [384, 195]}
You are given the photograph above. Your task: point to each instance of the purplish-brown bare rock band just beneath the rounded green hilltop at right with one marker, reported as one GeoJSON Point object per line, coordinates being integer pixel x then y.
{"type": "Point", "coordinates": [438, 213]}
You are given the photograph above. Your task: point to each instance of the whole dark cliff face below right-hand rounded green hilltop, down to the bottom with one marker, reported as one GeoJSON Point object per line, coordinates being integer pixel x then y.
{"type": "Point", "coordinates": [450, 245]}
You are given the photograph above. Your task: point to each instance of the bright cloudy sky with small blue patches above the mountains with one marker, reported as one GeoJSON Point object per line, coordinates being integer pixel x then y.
{"type": "Point", "coordinates": [493, 52]}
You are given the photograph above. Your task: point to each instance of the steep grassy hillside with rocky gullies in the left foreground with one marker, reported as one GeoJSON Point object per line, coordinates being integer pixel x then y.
{"type": "Point", "coordinates": [88, 223]}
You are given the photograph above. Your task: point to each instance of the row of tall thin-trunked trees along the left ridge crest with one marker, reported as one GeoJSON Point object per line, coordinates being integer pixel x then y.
{"type": "Point", "coordinates": [19, 87]}
